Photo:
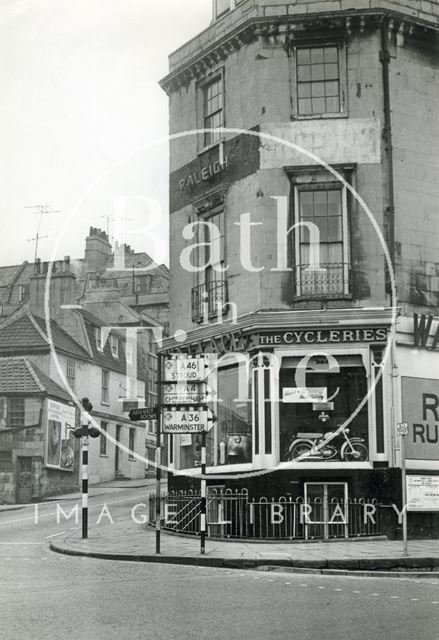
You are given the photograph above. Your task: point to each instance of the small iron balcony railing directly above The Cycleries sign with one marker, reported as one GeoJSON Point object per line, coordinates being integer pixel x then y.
{"type": "Point", "coordinates": [326, 281]}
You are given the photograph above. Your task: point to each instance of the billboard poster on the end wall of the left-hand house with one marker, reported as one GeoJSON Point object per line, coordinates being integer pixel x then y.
{"type": "Point", "coordinates": [60, 447]}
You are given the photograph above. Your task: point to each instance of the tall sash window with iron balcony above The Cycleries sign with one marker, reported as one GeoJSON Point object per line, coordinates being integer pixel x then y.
{"type": "Point", "coordinates": [321, 246]}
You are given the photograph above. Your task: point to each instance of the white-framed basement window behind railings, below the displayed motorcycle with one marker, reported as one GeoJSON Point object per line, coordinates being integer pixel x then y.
{"type": "Point", "coordinates": [328, 510]}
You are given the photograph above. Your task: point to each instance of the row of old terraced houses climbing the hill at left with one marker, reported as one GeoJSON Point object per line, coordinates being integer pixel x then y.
{"type": "Point", "coordinates": [98, 344]}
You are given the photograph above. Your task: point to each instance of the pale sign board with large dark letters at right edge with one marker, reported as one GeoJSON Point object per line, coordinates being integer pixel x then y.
{"type": "Point", "coordinates": [420, 409]}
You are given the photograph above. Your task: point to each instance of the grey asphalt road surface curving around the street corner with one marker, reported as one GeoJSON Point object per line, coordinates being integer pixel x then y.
{"type": "Point", "coordinates": [45, 596]}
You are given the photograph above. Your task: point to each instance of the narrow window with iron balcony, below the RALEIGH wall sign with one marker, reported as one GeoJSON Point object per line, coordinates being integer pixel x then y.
{"type": "Point", "coordinates": [209, 296]}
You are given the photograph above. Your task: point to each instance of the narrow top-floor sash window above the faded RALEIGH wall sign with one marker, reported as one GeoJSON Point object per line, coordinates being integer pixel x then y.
{"type": "Point", "coordinates": [212, 97]}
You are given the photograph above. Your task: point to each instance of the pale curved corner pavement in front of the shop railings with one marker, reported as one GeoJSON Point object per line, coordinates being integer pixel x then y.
{"type": "Point", "coordinates": [131, 538]}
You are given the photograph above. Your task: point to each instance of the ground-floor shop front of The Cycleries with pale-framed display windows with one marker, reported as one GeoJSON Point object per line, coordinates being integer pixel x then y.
{"type": "Point", "coordinates": [302, 416]}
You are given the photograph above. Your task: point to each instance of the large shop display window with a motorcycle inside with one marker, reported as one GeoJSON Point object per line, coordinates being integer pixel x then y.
{"type": "Point", "coordinates": [306, 424]}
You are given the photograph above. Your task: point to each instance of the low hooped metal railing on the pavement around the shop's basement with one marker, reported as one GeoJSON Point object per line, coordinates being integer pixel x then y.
{"type": "Point", "coordinates": [232, 514]}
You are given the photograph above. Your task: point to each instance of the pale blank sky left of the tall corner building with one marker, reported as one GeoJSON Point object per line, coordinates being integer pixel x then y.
{"type": "Point", "coordinates": [80, 114]}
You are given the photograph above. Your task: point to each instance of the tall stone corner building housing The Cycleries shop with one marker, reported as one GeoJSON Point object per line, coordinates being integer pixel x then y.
{"type": "Point", "coordinates": [349, 85]}
